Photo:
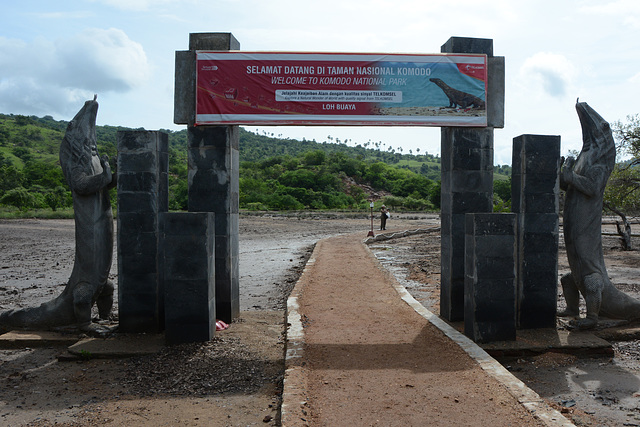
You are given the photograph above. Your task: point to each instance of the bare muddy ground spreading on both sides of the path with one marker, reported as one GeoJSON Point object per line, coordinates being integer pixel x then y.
{"type": "Point", "coordinates": [236, 379]}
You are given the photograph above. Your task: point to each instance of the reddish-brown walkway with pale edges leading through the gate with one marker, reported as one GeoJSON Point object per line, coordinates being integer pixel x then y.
{"type": "Point", "coordinates": [362, 351]}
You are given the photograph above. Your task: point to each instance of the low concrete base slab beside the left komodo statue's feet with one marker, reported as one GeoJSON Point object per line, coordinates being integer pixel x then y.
{"type": "Point", "coordinates": [119, 346]}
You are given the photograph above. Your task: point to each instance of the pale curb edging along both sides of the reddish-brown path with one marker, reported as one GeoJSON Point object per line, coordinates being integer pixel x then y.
{"type": "Point", "coordinates": [294, 399]}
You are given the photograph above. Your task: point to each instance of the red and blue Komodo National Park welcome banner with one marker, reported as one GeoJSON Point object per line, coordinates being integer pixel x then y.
{"type": "Point", "coordinates": [271, 88]}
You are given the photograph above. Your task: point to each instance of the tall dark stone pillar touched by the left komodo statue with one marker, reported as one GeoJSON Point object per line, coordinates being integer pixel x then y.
{"type": "Point", "coordinates": [143, 159]}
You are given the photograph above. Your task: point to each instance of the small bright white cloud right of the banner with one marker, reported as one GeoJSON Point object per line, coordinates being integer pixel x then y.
{"type": "Point", "coordinates": [554, 73]}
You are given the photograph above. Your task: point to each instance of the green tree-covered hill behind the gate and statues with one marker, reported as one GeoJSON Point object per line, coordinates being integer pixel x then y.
{"type": "Point", "coordinates": [275, 173]}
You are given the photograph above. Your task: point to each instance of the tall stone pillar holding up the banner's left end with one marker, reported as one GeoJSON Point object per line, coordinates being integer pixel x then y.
{"type": "Point", "coordinates": [214, 178]}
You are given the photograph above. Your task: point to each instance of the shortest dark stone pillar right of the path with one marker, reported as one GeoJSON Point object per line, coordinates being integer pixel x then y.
{"type": "Point", "coordinates": [490, 277]}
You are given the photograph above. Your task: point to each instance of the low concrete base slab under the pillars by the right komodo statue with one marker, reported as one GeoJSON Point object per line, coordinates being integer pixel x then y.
{"type": "Point", "coordinates": [535, 341]}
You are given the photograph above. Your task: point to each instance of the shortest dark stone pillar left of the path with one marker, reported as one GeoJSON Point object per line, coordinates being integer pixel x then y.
{"type": "Point", "coordinates": [187, 247]}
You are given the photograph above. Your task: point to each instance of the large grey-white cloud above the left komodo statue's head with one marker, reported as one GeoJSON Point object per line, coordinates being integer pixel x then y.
{"type": "Point", "coordinates": [51, 77]}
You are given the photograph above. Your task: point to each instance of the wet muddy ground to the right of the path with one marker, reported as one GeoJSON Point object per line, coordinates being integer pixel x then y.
{"type": "Point", "coordinates": [591, 391]}
